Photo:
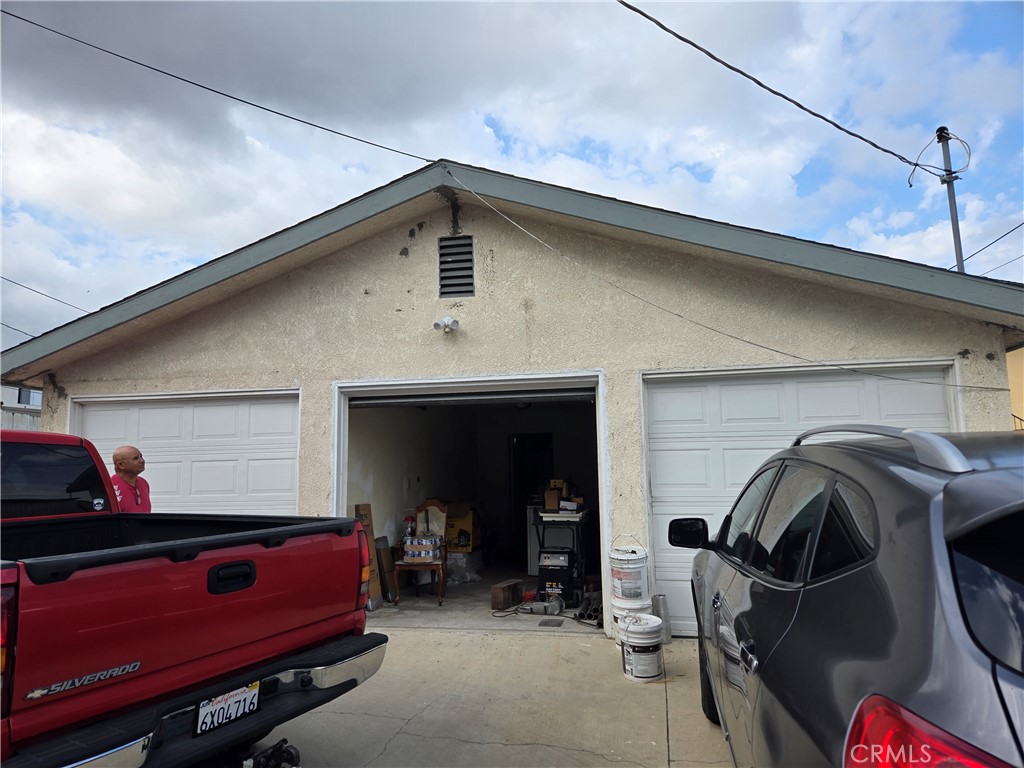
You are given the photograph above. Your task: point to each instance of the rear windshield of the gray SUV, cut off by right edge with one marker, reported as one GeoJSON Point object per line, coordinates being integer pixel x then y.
{"type": "Point", "coordinates": [990, 573]}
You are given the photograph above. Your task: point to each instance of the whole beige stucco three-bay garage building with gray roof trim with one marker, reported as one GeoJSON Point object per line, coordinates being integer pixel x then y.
{"type": "Point", "coordinates": [468, 335]}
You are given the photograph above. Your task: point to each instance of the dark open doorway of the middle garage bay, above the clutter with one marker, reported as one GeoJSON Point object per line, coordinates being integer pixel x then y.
{"type": "Point", "coordinates": [494, 451]}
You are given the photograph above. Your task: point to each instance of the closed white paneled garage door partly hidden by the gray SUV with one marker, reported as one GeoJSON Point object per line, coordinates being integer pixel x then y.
{"type": "Point", "coordinates": [707, 437]}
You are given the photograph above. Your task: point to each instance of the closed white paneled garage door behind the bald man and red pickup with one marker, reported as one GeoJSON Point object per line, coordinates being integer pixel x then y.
{"type": "Point", "coordinates": [228, 454]}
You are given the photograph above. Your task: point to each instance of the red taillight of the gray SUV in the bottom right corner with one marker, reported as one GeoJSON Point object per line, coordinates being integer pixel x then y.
{"type": "Point", "coordinates": [886, 736]}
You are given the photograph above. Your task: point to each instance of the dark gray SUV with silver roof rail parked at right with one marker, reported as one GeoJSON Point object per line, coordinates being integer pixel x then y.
{"type": "Point", "coordinates": [863, 604]}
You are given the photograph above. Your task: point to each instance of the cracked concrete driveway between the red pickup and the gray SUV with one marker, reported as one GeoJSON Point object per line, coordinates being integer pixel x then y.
{"type": "Point", "coordinates": [461, 688]}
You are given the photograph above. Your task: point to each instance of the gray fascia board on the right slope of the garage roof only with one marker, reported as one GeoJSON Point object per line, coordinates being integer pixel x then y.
{"type": "Point", "coordinates": [780, 249]}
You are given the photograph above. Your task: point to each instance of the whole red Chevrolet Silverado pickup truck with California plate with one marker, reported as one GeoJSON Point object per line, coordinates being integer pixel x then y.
{"type": "Point", "coordinates": [163, 639]}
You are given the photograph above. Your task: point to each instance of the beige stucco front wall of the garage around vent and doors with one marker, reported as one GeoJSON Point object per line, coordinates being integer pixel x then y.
{"type": "Point", "coordinates": [568, 305]}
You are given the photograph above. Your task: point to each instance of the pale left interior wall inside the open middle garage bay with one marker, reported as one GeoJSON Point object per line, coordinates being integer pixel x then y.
{"type": "Point", "coordinates": [400, 457]}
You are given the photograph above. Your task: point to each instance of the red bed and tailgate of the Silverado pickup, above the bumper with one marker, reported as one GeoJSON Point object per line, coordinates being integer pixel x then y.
{"type": "Point", "coordinates": [115, 610]}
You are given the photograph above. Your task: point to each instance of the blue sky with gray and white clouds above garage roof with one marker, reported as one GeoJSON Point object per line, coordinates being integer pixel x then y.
{"type": "Point", "coordinates": [116, 178]}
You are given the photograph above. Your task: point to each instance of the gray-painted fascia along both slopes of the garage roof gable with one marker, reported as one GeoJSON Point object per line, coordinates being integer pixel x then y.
{"type": "Point", "coordinates": [472, 182]}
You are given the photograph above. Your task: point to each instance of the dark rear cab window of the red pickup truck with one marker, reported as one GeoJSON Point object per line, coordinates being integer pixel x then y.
{"type": "Point", "coordinates": [38, 480]}
